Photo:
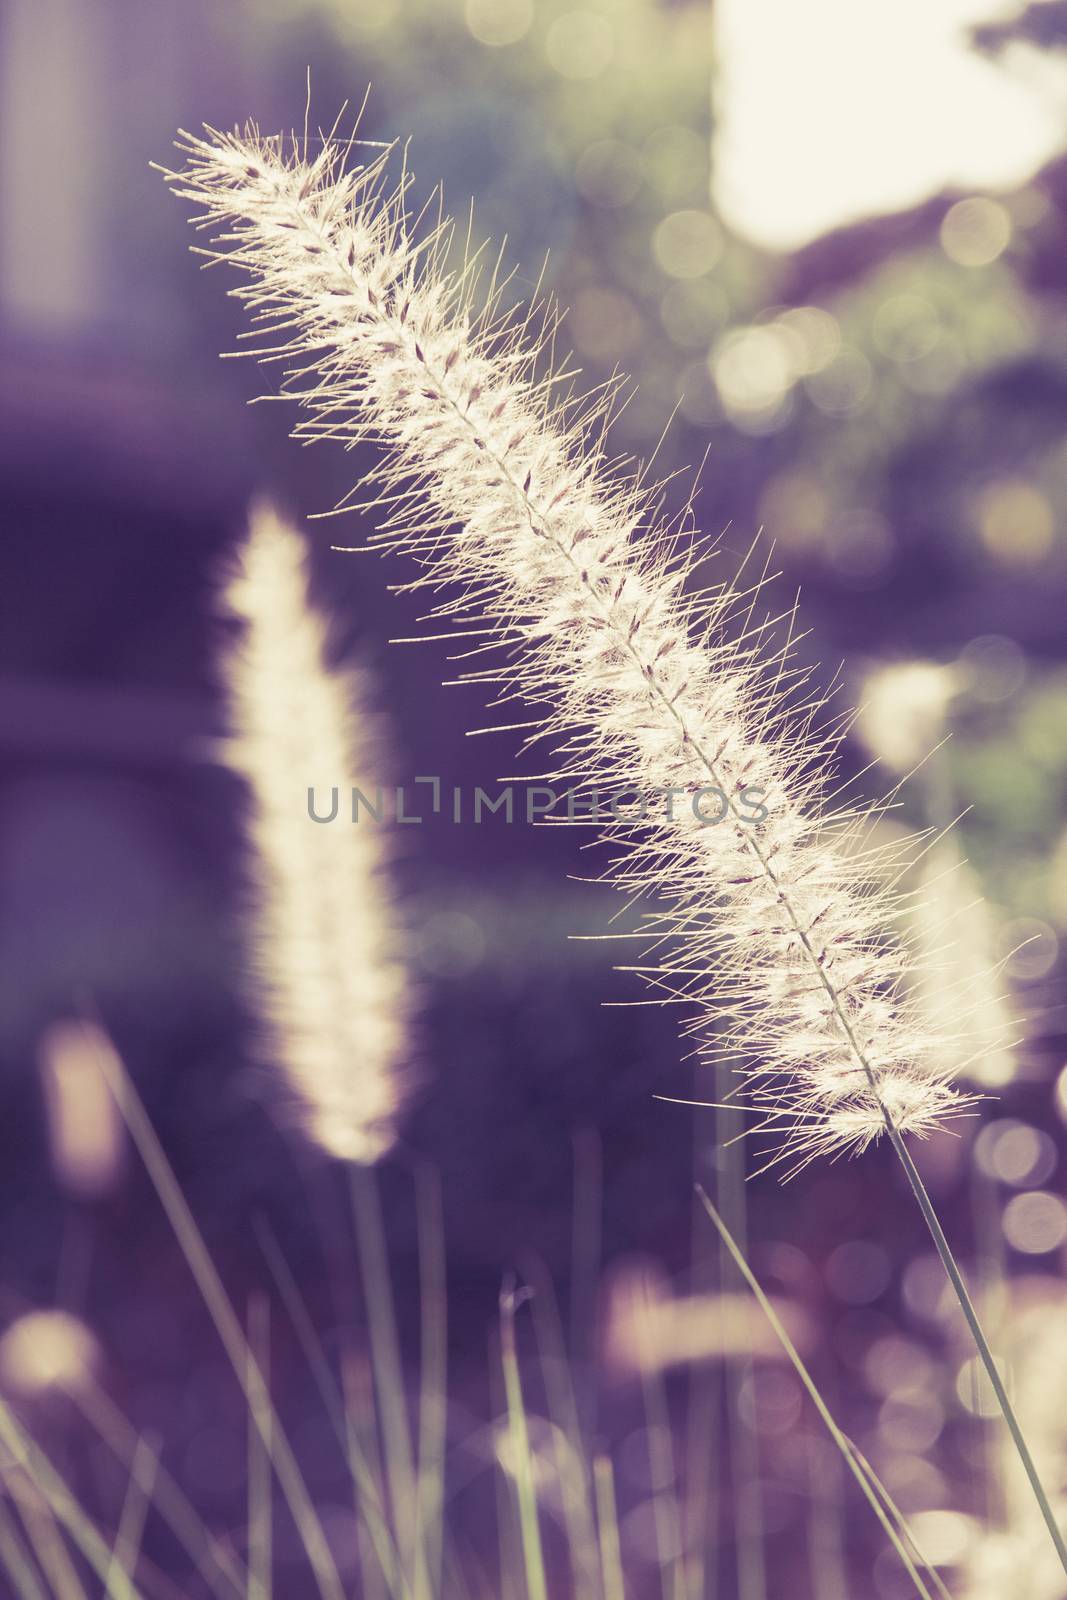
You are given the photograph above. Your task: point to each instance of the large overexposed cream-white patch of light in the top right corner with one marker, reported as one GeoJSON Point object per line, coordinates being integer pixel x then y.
{"type": "Point", "coordinates": [844, 110]}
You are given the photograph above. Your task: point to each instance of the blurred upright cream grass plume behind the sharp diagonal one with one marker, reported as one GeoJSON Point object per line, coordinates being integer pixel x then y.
{"type": "Point", "coordinates": [321, 927]}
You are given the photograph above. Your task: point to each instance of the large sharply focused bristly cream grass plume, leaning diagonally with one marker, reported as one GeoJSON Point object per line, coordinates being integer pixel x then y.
{"type": "Point", "coordinates": [498, 484]}
